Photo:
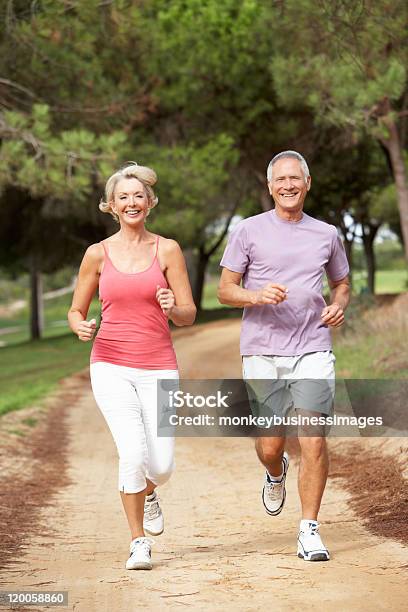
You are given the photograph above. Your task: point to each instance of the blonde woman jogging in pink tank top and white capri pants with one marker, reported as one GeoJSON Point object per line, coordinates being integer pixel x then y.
{"type": "Point", "coordinates": [143, 282]}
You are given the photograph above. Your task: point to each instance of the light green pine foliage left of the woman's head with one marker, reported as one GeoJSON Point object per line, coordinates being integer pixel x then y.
{"type": "Point", "coordinates": [61, 165]}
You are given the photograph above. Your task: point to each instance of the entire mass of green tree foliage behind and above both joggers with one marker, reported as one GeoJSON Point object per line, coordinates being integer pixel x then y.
{"type": "Point", "coordinates": [205, 92]}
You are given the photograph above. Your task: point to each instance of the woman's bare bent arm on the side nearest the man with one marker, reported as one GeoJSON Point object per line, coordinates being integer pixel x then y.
{"type": "Point", "coordinates": [177, 302]}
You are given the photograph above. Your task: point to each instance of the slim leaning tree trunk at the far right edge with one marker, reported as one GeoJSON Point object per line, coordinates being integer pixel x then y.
{"type": "Point", "coordinates": [392, 143]}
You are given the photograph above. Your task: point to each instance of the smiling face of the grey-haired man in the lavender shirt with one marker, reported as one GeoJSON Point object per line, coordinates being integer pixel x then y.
{"type": "Point", "coordinates": [288, 186]}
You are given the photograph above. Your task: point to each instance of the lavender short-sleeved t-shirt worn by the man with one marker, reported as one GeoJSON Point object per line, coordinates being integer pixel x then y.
{"type": "Point", "coordinates": [268, 249]}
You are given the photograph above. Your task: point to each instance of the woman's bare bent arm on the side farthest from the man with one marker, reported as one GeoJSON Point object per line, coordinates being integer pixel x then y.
{"type": "Point", "coordinates": [87, 284]}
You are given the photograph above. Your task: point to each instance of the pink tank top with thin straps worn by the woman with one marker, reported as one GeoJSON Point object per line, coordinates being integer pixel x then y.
{"type": "Point", "coordinates": [134, 331]}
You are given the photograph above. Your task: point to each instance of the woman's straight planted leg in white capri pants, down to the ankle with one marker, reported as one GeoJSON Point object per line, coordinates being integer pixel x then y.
{"type": "Point", "coordinates": [114, 392]}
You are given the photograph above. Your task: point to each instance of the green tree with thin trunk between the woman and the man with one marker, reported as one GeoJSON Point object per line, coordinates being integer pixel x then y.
{"type": "Point", "coordinates": [199, 194]}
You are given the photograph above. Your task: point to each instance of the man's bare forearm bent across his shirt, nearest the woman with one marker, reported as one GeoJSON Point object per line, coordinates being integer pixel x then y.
{"type": "Point", "coordinates": [231, 293]}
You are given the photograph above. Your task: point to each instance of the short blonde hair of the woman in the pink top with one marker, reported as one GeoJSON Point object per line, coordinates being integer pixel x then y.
{"type": "Point", "coordinates": [145, 175]}
